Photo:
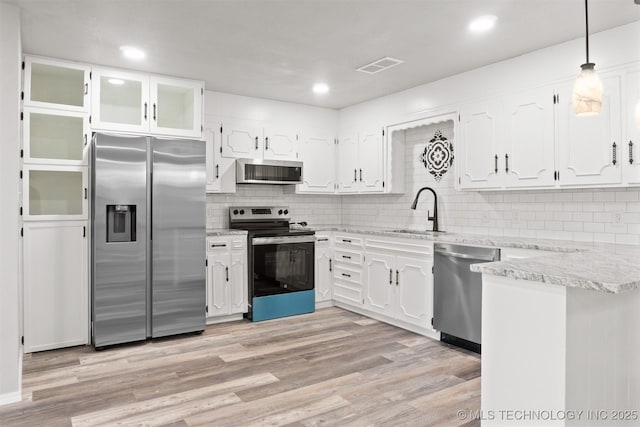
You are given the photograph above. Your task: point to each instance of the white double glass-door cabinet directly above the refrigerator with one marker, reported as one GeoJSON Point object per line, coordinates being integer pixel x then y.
{"type": "Point", "coordinates": [127, 101]}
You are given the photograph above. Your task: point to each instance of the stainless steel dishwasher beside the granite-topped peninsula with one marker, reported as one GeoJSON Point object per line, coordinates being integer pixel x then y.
{"type": "Point", "coordinates": [457, 311]}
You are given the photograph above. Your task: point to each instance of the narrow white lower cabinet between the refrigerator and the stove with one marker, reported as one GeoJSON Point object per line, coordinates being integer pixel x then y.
{"type": "Point", "coordinates": [226, 276]}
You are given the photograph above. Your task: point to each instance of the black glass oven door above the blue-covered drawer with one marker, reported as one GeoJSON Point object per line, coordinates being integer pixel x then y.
{"type": "Point", "coordinates": [282, 264]}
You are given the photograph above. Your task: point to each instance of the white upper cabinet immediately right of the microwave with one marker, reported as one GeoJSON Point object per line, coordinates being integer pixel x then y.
{"type": "Point", "coordinates": [318, 154]}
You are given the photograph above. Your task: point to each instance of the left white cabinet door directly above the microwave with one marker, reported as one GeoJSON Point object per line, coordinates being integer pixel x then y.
{"type": "Point", "coordinates": [242, 139]}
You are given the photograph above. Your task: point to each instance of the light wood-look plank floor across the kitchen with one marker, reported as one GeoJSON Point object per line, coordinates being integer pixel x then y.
{"type": "Point", "coordinates": [329, 368]}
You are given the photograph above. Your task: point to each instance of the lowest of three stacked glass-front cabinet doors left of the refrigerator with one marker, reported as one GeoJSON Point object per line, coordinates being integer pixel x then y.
{"type": "Point", "coordinates": [55, 192]}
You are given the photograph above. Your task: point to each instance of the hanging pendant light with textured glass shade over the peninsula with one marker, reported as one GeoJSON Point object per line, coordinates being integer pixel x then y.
{"type": "Point", "coordinates": [587, 90]}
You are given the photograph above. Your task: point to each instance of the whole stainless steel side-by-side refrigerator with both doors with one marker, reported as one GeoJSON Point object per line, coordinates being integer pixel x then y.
{"type": "Point", "coordinates": [148, 251]}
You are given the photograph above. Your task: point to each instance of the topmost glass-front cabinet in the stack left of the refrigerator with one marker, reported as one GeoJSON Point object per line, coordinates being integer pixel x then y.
{"type": "Point", "coordinates": [56, 84]}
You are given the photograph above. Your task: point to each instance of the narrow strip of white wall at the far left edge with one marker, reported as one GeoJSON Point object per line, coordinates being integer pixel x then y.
{"type": "Point", "coordinates": [10, 57]}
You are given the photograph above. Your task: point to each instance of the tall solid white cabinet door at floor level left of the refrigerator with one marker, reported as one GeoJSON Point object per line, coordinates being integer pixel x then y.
{"type": "Point", "coordinates": [56, 285]}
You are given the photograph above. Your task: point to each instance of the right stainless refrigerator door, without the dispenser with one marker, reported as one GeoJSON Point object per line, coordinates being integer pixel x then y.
{"type": "Point", "coordinates": [178, 236]}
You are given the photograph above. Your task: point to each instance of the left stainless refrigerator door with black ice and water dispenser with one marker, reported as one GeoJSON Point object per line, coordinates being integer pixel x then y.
{"type": "Point", "coordinates": [119, 267]}
